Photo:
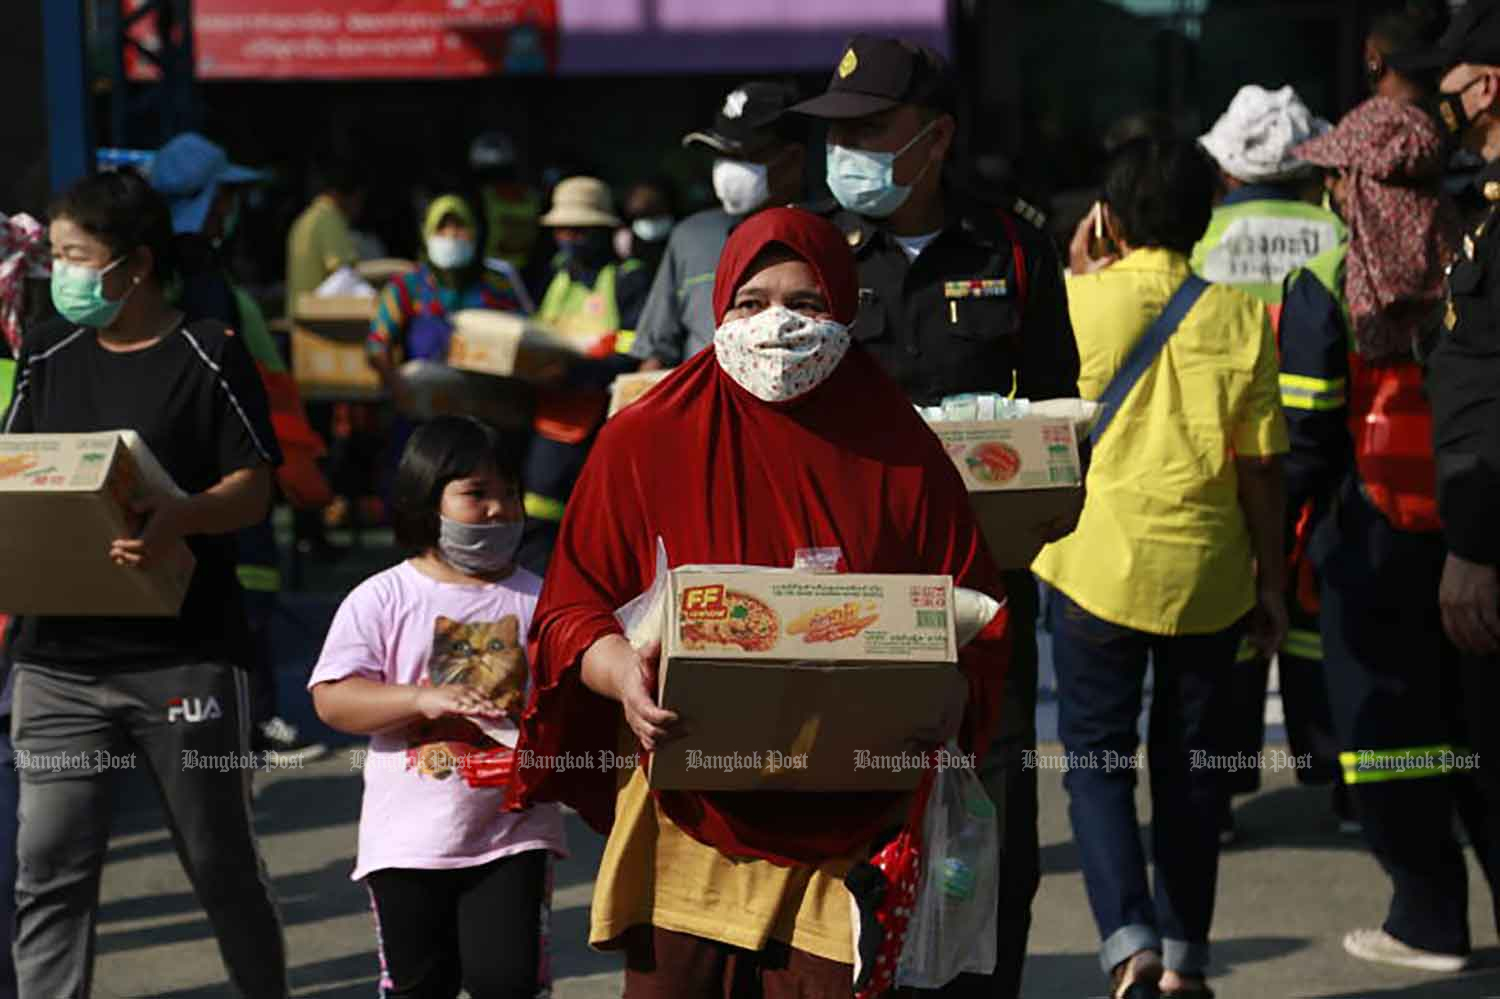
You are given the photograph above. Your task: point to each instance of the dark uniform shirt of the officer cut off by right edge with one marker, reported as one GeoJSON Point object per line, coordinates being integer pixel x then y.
{"type": "Point", "coordinates": [1463, 382]}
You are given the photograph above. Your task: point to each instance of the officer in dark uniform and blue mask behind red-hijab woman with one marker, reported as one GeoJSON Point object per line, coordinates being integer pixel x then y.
{"type": "Point", "coordinates": [956, 296]}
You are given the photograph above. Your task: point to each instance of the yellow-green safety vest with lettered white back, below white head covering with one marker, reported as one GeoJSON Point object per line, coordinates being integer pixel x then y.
{"type": "Point", "coordinates": [1255, 245]}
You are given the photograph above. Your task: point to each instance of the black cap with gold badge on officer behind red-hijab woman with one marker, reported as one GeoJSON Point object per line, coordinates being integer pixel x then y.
{"type": "Point", "coordinates": [878, 74]}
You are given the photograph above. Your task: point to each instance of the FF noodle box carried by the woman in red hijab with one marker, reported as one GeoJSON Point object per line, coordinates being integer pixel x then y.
{"type": "Point", "coordinates": [802, 682]}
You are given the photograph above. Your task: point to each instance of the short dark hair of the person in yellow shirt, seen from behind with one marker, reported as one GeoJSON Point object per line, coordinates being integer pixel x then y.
{"type": "Point", "coordinates": [1162, 193]}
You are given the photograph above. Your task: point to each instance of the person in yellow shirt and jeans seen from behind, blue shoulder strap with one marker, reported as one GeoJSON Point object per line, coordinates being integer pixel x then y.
{"type": "Point", "coordinates": [1180, 542]}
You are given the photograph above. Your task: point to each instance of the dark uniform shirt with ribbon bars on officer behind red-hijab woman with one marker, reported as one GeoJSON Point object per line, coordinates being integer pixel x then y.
{"type": "Point", "coordinates": [952, 322]}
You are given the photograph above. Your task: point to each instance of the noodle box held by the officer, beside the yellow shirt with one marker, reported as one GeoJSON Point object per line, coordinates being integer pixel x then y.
{"type": "Point", "coordinates": [1022, 476]}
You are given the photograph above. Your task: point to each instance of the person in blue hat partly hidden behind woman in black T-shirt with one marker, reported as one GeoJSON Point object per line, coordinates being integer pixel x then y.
{"type": "Point", "coordinates": [205, 193]}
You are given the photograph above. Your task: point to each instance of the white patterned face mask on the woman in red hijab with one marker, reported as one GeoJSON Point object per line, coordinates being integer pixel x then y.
{"type": "Point", "coordinates": [778, 355]}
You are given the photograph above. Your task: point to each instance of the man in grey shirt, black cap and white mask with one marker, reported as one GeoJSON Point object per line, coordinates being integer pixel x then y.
{"type": "Point", "coordinates": [760, 158]}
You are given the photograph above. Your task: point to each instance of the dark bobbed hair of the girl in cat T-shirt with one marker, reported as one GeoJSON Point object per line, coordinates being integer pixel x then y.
{"type": "Point", "coordinates": [442, 451]}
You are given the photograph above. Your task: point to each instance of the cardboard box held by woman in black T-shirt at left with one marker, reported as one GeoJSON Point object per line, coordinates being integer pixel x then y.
{"type": "Point", "coordinates": [64, 499]}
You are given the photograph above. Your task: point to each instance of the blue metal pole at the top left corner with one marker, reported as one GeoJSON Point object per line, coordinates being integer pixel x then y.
{"type": "Point", "coordinates": [68, 119]}
